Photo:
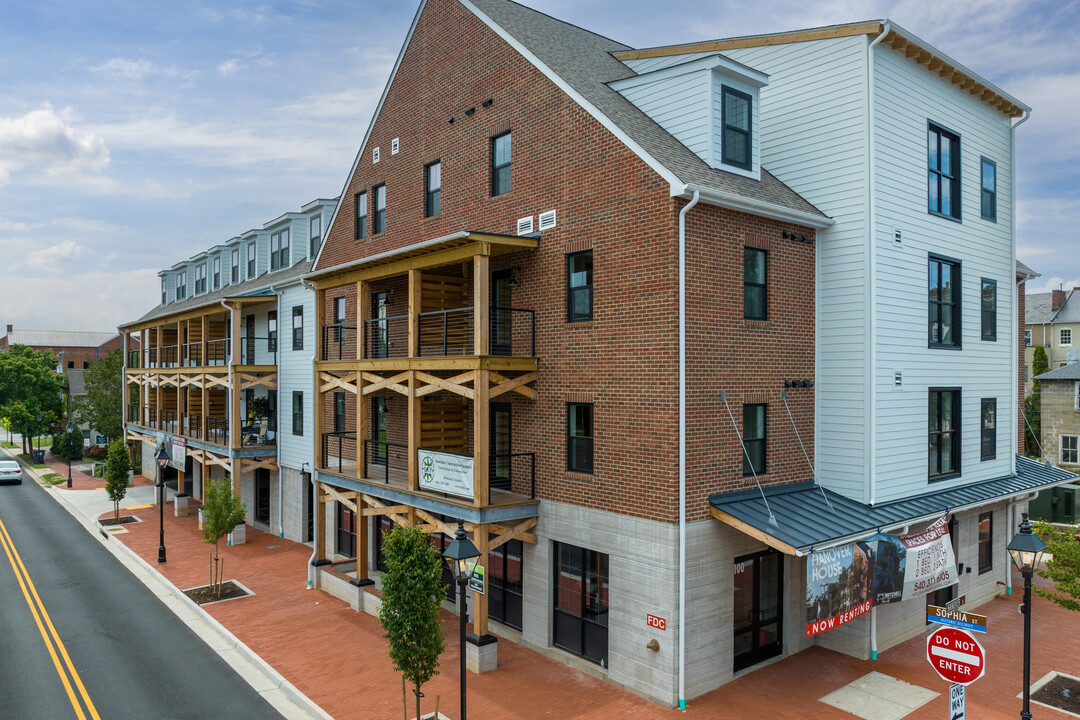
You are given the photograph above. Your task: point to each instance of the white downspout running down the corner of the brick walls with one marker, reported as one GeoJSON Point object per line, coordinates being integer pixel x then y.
{"type": "Point", "coordinates": [682, 449]}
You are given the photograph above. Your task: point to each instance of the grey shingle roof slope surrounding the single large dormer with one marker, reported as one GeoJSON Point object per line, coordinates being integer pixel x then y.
{"type": "Point", "coordinates": [584, 61]}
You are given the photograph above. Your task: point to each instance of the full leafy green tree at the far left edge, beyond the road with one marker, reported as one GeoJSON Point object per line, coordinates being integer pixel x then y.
{"type": "Point", "coordinates": [30, 377]}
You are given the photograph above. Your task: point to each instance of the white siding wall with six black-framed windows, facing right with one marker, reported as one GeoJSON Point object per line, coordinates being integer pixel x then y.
{"type": "Point", "coordinates": [909, 97]}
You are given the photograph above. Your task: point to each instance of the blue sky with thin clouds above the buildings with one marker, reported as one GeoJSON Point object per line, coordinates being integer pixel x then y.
{"type": "Point", "coordinates": [136, 134]}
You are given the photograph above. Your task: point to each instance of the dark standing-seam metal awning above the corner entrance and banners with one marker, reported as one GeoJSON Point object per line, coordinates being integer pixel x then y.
{"type": "Point", "coordinates": [805, 521]}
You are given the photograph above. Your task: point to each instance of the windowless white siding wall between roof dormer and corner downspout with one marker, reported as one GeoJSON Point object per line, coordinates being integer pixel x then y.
{"type": "Point", "coordinates": [813, 138]}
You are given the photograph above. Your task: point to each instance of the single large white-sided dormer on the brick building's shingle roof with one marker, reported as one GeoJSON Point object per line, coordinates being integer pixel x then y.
{"type": "Point", "coordinates": [709, 103]}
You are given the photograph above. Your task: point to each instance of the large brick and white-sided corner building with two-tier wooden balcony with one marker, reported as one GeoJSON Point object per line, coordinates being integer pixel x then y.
{"type": "Point", "coordinates": [498, 306]}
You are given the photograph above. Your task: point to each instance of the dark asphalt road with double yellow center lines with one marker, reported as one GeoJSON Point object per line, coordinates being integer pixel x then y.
{"type": "Point", "coordinates": [121, 653]}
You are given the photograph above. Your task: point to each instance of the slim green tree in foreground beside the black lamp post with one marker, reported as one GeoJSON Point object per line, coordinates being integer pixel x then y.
{"type": "Point", "coordinates": [413, 595]}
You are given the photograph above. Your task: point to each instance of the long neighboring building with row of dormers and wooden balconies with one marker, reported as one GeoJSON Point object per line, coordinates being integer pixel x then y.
{"type": "Point", "coordinates": [234, 334]}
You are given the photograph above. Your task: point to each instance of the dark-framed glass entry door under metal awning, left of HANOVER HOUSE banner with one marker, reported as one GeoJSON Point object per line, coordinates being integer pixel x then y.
{"type": "Point", "coordinates": [759, 613]}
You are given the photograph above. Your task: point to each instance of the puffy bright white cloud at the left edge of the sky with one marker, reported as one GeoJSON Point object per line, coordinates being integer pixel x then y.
{"type": "Point", "coordinates": [45, 141]}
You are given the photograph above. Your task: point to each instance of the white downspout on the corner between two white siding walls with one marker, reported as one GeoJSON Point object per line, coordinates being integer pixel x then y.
{"type": "Point", "coordinates": [872, 277]}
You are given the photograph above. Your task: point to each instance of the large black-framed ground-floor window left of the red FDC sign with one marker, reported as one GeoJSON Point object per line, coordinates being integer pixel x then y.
{"type": "Point", "coordinates": [582, 602]}
